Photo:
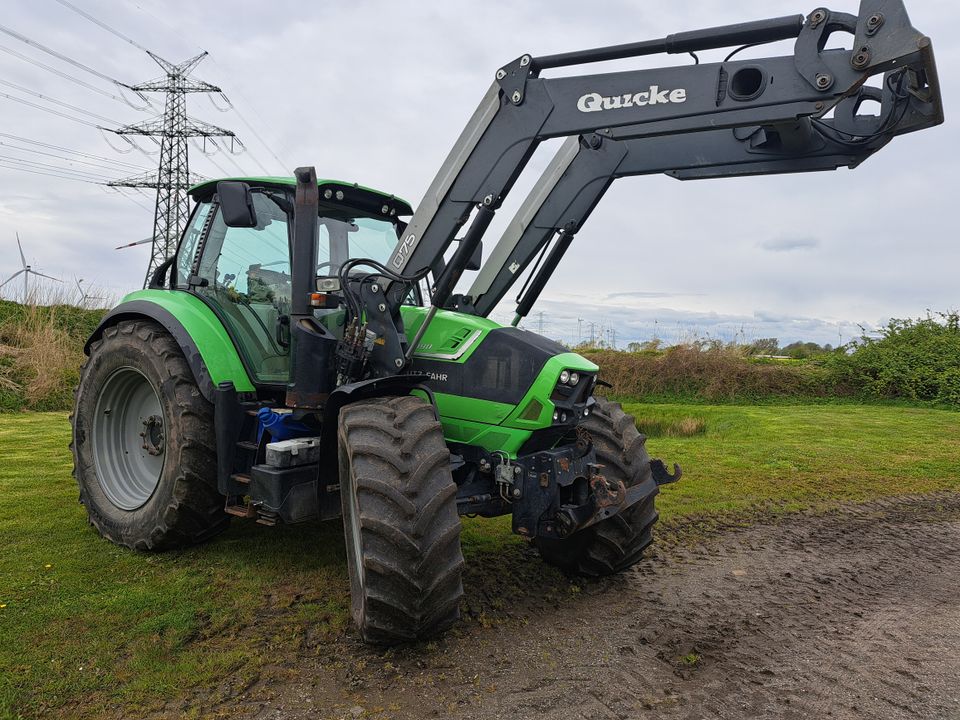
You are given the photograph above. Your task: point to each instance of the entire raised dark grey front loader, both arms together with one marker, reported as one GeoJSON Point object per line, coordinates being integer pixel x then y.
{"type": "Point", "coordinates": [765, 115]}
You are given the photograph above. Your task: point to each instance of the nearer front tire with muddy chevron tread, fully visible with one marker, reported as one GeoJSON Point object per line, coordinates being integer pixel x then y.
{"type": "Point", "coordinates": [400, 520]}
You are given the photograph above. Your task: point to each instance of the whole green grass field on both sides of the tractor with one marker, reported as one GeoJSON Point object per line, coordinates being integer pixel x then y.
{"type": "Point", "coordinates": [85, 625]}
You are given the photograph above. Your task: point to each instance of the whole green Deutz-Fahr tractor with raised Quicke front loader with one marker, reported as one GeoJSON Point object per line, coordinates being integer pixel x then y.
{"type": "Point", "coordinates": [303, 354]}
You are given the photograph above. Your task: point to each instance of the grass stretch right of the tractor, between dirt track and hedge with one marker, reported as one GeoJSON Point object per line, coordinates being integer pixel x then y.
{"type": "Point", "coordinates": [795, 456]}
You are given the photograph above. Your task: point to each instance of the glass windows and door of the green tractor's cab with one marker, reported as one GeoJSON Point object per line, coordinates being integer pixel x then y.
{"type": "Point", "coordinates": [240, 264]}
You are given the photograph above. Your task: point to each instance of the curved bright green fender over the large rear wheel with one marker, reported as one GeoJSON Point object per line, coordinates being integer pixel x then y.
{"type": "Point", "coordinates": [209, 351]}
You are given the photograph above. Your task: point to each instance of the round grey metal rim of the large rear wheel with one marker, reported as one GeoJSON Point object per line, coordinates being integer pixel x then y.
{"type": "Point", "coordinates": [128, 438]}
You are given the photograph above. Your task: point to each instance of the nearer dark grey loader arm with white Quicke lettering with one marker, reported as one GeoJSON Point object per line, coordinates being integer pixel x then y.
{"type": "Point", "coordinates": [522, 109]}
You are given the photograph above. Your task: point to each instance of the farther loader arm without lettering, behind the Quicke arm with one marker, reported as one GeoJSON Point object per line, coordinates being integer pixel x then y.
{"type": "Point", "coordinates": [585, 167]}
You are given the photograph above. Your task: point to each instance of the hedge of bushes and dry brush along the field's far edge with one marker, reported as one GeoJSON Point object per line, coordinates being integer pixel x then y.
{"type": "Point", "coordinates": [41, 348]}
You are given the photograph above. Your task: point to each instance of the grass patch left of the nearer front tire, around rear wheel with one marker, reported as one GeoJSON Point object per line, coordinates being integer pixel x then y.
{"type": "Point", "coordinates": [87, 624]}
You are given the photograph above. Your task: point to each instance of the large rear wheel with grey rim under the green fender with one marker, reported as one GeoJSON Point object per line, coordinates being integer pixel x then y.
{"type": "Point", "coordinates": [143, 442]}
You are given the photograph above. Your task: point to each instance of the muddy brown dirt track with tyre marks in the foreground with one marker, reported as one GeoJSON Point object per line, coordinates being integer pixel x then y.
{"type": "Point", "coordinates": [849, 614]}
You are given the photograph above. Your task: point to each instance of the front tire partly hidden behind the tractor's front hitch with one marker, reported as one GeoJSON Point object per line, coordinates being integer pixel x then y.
{"type": "Point", "coordinates": [617, 543]}
